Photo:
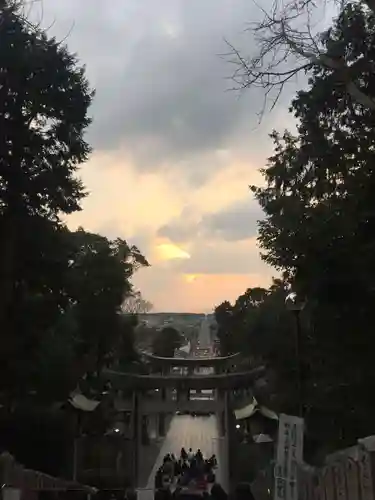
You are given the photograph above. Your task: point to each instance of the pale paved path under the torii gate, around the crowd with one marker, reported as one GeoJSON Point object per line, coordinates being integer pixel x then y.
{"type": "Point", "coordinates": [188, 432]}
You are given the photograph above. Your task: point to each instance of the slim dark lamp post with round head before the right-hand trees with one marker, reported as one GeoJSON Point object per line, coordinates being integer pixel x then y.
{"type": "Point", "coordinates": [295, 305]}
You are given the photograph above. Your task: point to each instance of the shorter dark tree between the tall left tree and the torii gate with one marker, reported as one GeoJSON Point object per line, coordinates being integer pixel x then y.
{"type": "Point", "coordinates": [96, 282]}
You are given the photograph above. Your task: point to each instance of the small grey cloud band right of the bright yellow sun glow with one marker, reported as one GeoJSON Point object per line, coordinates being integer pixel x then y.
{"type": "Point", "coordinates": [235, 222]}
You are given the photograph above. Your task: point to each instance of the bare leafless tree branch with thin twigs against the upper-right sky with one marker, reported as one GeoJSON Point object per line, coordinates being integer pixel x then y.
{"type": "Point", "coordinates": [285, 49]}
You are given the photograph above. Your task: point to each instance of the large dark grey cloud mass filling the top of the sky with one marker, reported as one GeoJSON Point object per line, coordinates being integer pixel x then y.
{"type": "Point", "coordinates": [161, 85]}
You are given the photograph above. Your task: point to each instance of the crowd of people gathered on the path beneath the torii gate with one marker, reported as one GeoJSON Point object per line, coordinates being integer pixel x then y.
{"type": "Point", "coordinates": [189, 470]}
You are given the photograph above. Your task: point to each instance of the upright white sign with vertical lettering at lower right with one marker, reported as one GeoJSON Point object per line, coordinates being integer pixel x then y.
{"type": "Point", "coordinates": [289, 456]}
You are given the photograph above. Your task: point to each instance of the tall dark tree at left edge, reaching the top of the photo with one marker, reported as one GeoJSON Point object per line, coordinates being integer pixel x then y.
{"type": "Point", "coordinates": [44, 99]}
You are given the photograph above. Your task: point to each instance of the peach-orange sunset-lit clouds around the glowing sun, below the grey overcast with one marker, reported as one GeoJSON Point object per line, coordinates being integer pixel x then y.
{"type": "Point", "coordinates": [126, 203]}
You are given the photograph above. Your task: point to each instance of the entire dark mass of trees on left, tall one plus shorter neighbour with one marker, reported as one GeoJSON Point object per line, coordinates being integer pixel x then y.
{"type": "Point", "coordinates": [61, 291]}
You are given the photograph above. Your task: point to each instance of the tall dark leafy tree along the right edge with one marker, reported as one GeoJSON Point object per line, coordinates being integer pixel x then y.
{"type": "Point", "coordinates": [319, 228]}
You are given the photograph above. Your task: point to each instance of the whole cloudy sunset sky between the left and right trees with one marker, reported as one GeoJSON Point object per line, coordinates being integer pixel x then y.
{"type": "Point", "coordinates": [174, 148]}
